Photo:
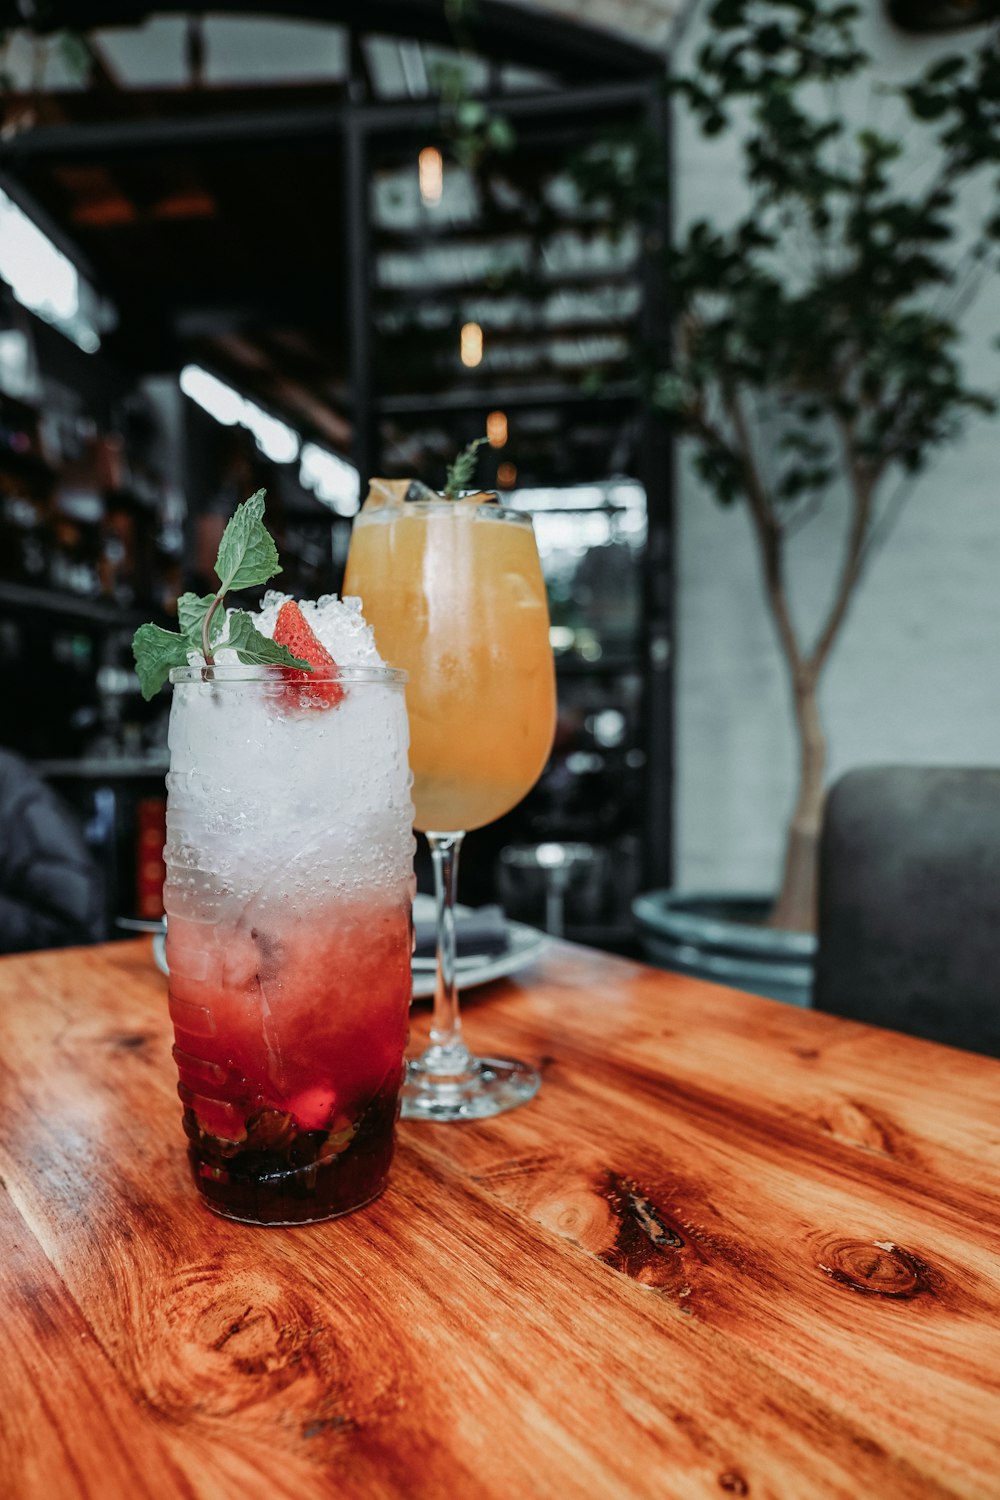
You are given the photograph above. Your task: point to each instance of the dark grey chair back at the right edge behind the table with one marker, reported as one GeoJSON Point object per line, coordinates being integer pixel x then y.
{"type": "Point", "coordinates": [909, 904]}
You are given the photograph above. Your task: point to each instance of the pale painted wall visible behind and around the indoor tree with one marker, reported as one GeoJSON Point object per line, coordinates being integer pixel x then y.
{"type": "Point", "coordinates": [917, 673]}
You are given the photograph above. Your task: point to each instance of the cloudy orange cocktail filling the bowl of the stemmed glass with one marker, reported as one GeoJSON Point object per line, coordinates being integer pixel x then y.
{"type": "Point", "coordinates": [455, 595]}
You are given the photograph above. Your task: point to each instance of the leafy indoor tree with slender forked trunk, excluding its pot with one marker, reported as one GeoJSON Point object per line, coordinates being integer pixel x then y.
{"type": "Point", "coordinates": [816, 337]}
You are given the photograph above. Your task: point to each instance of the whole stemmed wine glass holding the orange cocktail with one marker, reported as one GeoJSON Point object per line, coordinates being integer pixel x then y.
{"type": "Point", "coordinates": [455, 593]}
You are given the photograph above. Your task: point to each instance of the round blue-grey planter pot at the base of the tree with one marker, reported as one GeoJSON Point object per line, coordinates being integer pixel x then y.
{"type": "Point", "coordinates": [722, 937]}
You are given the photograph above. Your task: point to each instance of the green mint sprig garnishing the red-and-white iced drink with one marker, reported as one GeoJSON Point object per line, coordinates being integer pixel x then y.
{"type": "Point", "coordinates": [247, 557]}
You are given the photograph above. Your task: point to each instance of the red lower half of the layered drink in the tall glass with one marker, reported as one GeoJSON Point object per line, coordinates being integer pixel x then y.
{"type": "Point", "coordinates": [290, 1031]}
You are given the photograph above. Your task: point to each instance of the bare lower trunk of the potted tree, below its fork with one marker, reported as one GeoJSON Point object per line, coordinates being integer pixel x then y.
{"type": "Point", "coordinates": [795, 908]}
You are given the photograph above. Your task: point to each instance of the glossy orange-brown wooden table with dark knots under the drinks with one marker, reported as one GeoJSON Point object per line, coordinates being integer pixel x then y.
{"type": "Point", "coordinates": [731, 1250]}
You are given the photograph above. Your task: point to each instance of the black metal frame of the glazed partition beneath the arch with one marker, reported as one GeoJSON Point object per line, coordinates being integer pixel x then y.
{"type": "Point", "coordinates": [356, 122]}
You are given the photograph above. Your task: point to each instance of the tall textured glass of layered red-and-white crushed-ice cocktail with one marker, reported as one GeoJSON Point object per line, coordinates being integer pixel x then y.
{"type": "Point", "coordinates": [289, 898]}
